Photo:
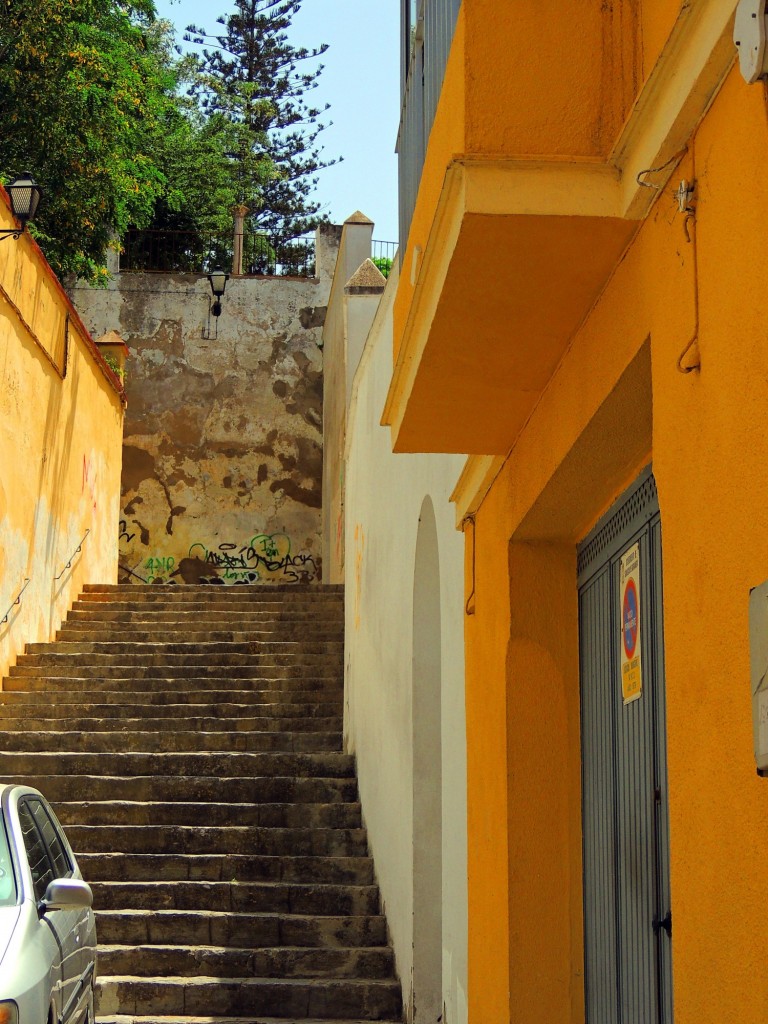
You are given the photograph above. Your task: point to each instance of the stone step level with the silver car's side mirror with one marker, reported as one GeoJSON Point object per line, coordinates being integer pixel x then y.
{"type": "Point", "coordinates": [239, 898]}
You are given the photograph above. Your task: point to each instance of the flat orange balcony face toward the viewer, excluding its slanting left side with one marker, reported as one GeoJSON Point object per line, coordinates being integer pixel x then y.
{"type": "Point", "coordinates": [578, 60]}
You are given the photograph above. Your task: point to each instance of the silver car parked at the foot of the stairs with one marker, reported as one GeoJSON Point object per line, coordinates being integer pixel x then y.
{"type": "Point", "coordinates": [48, 929]}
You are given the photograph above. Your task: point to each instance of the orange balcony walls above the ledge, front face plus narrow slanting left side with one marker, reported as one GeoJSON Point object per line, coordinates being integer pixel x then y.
{"type": "Point", "coordinates": [581, 100]}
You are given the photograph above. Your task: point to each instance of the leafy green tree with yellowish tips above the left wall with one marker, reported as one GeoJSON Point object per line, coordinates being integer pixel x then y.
{"type": "Point", "coordinates": [83, 93]}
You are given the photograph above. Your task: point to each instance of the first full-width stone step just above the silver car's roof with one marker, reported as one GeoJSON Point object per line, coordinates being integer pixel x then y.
{"type": "Point", "coordinates": [216, 764]}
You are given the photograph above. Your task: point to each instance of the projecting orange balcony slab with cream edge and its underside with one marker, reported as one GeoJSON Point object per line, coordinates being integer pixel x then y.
{"type": "Point", "coordinates": [505, 247]}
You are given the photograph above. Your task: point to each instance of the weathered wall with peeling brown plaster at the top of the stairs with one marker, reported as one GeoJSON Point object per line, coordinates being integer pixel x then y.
{"type": "Point", "coordinates": [223, 458]}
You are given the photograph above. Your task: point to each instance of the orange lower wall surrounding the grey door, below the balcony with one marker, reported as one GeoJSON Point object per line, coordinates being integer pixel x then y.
{"type": "Point", "coordinates": [616, 403]}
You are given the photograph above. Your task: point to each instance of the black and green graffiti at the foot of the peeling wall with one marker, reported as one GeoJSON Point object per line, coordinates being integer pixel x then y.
{"type": "Point", "coordinates": [267, 558]}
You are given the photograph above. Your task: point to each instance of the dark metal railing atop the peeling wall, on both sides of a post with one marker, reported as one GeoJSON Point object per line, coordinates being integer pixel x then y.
{"type": "Point", "coordinates": [191, 252]}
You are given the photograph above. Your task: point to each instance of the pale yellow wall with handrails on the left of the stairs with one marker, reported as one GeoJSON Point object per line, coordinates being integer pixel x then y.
{"type": "Point", "coordinates": [61, 451]}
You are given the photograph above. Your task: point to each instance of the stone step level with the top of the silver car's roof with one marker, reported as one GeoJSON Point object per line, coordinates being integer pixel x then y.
{"type": "Point", "coordinates": [221, 790]}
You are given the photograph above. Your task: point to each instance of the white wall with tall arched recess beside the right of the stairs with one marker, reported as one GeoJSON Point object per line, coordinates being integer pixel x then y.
{"type": "Point", "coordinates": [386, 494]}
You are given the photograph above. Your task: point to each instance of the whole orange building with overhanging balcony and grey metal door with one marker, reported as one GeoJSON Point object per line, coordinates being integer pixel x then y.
{"type": "Point", "coordinates": [582, 308]}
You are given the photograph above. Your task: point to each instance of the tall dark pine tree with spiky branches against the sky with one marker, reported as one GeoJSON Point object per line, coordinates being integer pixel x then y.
{"type": "Point", "coordinates": [251, 75]}
